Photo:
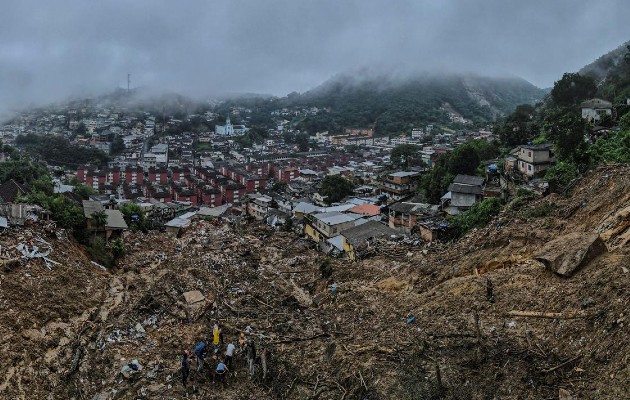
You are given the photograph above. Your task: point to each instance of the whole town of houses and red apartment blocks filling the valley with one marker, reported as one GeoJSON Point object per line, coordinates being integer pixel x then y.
{"type": "Point", "coordinates": [277, 184]}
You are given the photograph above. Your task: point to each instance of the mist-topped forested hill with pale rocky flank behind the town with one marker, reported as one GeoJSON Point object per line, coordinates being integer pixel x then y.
{"type": "Point", "coordinates": [397, 105]}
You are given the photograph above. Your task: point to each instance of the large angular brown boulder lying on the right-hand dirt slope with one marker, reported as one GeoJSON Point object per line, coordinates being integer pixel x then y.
{"type": "Point", "coordinates": [568, 253]}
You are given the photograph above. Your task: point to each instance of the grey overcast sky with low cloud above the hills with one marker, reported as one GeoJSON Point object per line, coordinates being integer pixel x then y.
{"type": "Point", "coordinates": [50, 49]}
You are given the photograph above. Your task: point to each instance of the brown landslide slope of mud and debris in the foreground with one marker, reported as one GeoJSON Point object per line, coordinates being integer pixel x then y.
{"type": "Point", "coordinates": [408, 322]}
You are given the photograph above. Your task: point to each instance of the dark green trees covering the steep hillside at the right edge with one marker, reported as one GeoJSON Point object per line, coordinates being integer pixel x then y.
{"type": "Point", "coordinates": [558, 119]}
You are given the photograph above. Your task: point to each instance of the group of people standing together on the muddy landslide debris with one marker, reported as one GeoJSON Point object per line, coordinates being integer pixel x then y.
{"type": "Point", "coordinates": [224, 359]}
